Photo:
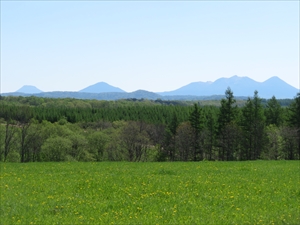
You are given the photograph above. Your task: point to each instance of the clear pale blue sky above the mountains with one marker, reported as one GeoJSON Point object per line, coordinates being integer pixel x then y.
{"type": "Point", "coordinates": [150, 45]}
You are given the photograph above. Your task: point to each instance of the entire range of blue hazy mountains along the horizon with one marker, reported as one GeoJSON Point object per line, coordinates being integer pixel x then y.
{"type": "Point", "coordinates": [242, 88]}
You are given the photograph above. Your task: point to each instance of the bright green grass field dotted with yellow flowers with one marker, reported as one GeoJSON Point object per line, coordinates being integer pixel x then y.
{"type": "Point", "coordinates": [257, 192]}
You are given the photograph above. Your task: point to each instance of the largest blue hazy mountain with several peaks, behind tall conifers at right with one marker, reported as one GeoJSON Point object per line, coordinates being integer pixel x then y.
{"type": "Point", "coordinates": [241, 86]}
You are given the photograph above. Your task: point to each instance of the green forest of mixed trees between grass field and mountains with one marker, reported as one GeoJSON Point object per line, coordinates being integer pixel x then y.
{"type": "Point", "coordinates": [35, 129]}
